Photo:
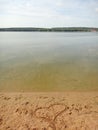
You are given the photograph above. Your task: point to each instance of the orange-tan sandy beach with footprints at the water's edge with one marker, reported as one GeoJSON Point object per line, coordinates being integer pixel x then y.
{"type": "Point", "coordinates": [49, 111]}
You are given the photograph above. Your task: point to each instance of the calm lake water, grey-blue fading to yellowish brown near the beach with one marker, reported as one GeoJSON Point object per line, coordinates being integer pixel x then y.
{"type": "Point", "coordinates": [43, 61]}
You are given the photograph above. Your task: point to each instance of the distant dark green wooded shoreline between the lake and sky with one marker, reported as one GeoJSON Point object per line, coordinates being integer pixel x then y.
{"type": "Point", "coordinates": [58, 29]}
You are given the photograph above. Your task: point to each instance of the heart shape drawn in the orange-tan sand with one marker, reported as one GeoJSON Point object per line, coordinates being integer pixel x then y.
{"type": "Point", "coordinates": [49, 114]}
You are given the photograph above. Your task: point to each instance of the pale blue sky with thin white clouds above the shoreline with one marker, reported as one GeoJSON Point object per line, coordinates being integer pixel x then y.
{"type": "Point", "coordinates": [49, 13]}
